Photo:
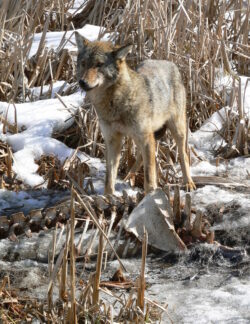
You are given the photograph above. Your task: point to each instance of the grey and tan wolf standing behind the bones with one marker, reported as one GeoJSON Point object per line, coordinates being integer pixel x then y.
{"type": "Point", "coordinates": [139, 104]}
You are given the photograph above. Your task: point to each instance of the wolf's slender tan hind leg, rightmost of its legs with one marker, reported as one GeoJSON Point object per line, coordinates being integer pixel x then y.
{"type": "Point", "coordinates": [178, 131]}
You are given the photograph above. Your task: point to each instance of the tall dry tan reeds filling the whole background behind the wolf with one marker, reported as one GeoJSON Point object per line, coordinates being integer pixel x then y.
{"type": "Point", "coordinates": [206, 39]}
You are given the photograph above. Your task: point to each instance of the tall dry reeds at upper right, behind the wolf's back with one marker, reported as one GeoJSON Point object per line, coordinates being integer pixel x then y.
{"type": "Point", "coordinates": [205, 39]}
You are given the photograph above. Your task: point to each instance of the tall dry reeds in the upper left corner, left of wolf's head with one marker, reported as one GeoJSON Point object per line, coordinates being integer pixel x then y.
{"type": "Point", "coordinates": [19, 21]}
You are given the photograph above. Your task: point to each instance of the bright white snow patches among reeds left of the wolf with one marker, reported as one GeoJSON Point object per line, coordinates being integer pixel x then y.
{"type": "Point", "coordinates": [38, 120]}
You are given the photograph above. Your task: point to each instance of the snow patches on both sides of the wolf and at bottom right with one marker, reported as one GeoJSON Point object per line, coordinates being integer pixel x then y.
{"type": "Point", "coordinates": [195, 302]}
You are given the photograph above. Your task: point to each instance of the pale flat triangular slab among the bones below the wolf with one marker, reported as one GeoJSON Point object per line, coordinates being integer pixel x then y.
{"type": "Point", "coordinates": [155, 214]}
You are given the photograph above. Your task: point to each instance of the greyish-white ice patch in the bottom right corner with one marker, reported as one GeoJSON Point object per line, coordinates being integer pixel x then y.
{"type": "Point", "coordinates": [201, 302]}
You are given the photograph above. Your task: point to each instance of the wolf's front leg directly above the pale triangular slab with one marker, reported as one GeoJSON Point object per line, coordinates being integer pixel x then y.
{"type": "Point", "coordinates": [147, 144]}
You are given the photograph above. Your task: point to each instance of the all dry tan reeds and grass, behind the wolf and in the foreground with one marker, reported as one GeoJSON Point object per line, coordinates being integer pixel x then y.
{"type": "Point", "coordinates": [204, 38]}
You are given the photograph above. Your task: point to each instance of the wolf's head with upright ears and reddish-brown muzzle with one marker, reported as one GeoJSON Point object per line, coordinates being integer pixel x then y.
{"type": "Point", "coordinates": [98, 63]}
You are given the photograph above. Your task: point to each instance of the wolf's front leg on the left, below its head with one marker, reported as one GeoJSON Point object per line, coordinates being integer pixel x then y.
{"type": "Point", "coordinates": [113, 151]}
